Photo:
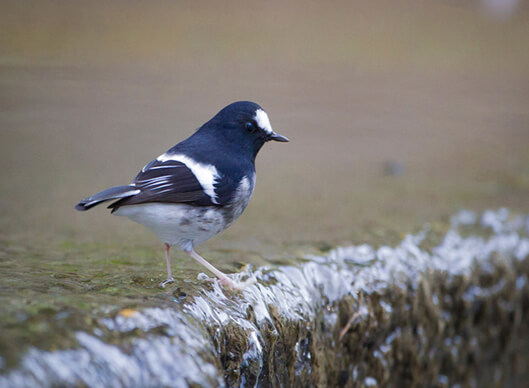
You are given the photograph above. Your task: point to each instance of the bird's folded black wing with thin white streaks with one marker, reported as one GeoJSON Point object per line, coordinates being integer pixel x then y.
{"type": "Point", "coordinates": [168, 182]}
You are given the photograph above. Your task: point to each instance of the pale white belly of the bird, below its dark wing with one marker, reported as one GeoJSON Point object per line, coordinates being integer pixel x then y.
{"type": "Point", "coordinates": [177, 224]}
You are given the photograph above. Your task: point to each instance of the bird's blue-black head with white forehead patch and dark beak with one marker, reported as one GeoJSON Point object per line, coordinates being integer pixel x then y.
{"type": "Point", "coordinates": [245, 126]}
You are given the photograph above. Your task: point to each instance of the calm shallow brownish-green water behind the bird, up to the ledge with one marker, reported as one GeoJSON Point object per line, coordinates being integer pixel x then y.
{"type": "Point", "coordinates": [68, 131]}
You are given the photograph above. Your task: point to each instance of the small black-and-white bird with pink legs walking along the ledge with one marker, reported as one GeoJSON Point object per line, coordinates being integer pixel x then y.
{"type": "Point", "coordinates": [199, 187]}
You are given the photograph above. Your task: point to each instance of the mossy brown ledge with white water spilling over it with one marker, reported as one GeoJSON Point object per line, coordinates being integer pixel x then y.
{"type": "Point", "coordinates": [438, 309]}
